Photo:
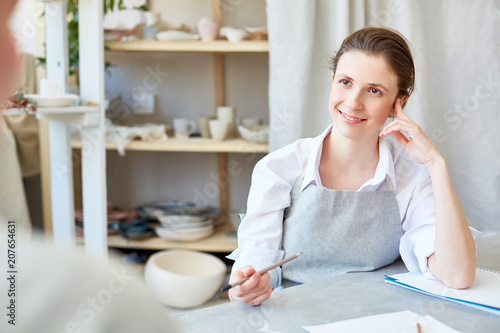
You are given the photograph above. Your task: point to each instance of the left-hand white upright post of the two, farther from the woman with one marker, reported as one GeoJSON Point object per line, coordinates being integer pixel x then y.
{"type": "Point", "coordinates": [61, 168]}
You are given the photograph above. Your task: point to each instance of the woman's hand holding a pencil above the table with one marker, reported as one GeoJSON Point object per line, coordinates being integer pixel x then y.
{"type": "Point", "coordinates": [255, 290]}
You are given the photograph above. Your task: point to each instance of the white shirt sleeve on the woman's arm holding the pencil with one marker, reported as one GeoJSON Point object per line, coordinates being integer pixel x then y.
{"type": "Point", "coordinates": [260, 233]}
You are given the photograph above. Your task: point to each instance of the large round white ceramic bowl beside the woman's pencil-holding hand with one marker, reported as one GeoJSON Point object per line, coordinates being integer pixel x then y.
{"type": "Point", "coordinates": [183, 278]}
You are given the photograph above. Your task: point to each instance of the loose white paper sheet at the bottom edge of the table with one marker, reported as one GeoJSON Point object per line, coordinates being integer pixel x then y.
{"type": "Point", "coordinates": [397, 322]}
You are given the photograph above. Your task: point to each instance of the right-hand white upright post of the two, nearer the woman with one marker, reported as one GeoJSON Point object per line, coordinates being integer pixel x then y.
{"type": "Point", "coordinates": [93, 137]}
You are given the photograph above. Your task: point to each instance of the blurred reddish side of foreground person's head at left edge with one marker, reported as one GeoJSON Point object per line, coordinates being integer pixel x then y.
{"type": "Point", "coordinates": [8, 53]}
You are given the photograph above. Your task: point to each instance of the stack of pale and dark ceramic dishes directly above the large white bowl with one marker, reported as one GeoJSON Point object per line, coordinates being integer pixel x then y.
{"type": "Point", "coordinates": [183, 221]}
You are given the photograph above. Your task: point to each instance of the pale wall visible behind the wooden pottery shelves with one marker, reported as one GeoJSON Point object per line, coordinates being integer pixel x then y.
{"type": "Point", "coordinates": [187, 90]}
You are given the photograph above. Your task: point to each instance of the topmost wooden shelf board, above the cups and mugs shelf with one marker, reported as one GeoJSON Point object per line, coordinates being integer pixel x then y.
{"type": "Point", "coordinates": [218, 46]}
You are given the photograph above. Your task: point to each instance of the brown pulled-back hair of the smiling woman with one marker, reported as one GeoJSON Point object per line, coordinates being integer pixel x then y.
{"type": "Point", "coordinates": [390, 45]}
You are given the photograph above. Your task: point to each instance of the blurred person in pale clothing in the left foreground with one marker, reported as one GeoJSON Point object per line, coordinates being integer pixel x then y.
{"type": "Point", "coordinates": [54, 290]}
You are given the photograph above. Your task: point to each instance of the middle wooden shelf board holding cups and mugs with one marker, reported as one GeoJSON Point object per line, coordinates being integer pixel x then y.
{"type": "Point", "coordinates": [189, 145]}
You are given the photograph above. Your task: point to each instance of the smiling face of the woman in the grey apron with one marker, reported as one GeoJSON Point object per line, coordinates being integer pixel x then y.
{"type": "Point", "coordinates": [364, 90]}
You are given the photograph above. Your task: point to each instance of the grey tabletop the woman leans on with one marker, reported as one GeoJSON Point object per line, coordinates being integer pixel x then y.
{"type": "Point", "coordinates": [343, 297]}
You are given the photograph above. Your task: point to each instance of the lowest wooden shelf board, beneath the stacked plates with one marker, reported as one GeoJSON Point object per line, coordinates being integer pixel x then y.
{"type": "Point", "coordinates": [222, 240]}
